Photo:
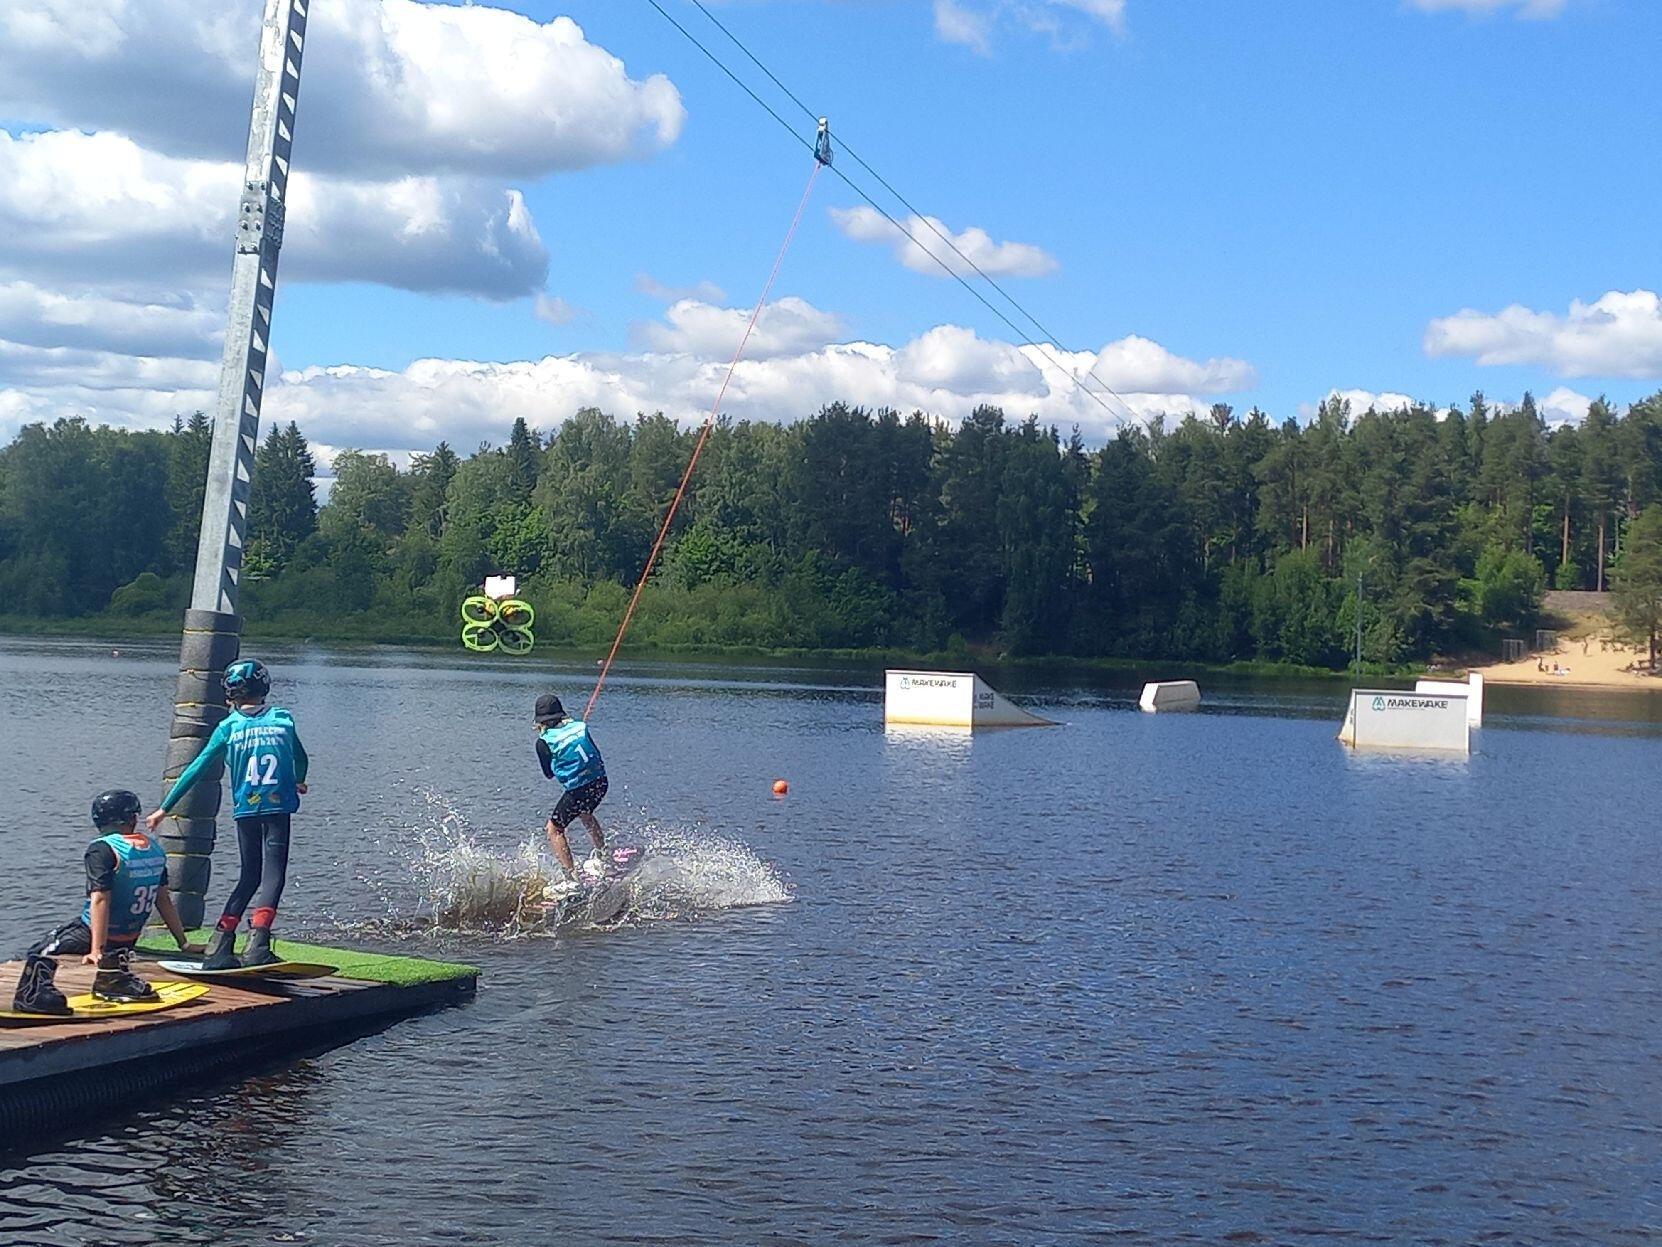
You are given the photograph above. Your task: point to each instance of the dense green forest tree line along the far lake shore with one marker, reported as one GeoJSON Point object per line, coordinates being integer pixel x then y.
{"type": "Point", "coordinates": [1216, 540]}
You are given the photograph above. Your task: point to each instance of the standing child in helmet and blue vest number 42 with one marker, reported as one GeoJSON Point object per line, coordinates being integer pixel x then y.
{"type": "Point", "coordinates": [267, 766]}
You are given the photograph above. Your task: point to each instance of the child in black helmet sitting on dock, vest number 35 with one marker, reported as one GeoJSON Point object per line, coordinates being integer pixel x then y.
{"type": "Point", "coordinates": [127, 877]}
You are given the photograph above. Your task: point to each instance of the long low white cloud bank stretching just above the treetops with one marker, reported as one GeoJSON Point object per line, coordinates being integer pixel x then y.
{"type": "Point", "coordinates": [947, 372]}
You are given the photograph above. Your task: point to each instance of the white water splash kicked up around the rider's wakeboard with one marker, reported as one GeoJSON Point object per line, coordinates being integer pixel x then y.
{"type": "Point", "coordinates": [476, 889]}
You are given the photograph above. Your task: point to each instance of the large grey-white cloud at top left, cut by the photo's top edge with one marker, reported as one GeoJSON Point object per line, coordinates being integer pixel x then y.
{"type": "Point", "coordinates": [388, 87]}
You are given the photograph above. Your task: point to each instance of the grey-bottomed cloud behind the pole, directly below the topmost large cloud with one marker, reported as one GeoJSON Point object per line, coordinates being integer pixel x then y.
{"type": "Point", "coordinates": [79, 209]}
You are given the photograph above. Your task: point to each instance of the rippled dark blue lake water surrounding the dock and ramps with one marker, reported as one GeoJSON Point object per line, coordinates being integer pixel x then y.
{"type": "Point", "coordinates": [1181, 978]}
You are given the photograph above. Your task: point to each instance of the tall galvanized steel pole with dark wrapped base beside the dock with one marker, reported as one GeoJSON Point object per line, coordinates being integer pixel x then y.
{"type": "Point", "coordinates": [212, 626]}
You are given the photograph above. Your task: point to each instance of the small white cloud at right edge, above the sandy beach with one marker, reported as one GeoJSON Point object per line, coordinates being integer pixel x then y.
{"type": "Point", "coordinates": [1616, 337]}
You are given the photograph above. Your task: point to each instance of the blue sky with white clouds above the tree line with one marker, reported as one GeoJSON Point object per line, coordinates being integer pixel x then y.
{"type": "Point", "coordinates": [531, 207]}
